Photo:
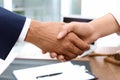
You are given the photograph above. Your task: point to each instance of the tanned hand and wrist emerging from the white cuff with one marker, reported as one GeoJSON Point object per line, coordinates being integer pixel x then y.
{"type": "Point", "coordinates": [43, 35]}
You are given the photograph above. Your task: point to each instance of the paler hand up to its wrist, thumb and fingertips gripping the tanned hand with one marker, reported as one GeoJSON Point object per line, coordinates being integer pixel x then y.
{"type": "Point", "coordinates": [83, 30]}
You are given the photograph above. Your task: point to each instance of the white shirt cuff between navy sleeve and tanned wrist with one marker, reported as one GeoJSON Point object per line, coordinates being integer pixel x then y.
{"type": "Point", "coordinates": [24, 30]}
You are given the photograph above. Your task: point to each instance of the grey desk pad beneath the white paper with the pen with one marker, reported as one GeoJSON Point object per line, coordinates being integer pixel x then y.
{"type": "Point", "coordinates": [28, 63]}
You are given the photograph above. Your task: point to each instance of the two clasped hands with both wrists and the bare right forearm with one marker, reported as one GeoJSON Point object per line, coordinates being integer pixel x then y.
{"type": "Point", "coordinates": [66, 41]}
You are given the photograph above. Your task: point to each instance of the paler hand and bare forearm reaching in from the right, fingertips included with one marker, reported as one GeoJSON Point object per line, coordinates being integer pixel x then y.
{"type": "Point", "coordinates": [91, 31]}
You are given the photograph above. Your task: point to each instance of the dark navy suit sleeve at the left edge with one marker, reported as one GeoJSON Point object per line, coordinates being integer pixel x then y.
{"type": "Point", "coordinates": [11, 25]}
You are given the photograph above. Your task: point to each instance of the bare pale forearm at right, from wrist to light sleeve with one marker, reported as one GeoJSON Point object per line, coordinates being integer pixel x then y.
{"type": "Point", "coordinates": [105, 25]}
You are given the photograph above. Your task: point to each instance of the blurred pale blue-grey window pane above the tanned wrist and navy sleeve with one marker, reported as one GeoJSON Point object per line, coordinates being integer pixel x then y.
{"type": "Point", "coordinates": [43, 10]}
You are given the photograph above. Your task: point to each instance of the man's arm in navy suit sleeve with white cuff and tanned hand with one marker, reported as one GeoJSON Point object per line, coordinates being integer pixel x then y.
{"type": "Point", "coordinates": [14, 27]}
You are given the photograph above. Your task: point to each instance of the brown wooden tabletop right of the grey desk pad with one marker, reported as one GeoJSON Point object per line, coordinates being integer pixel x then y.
{"type": "Point", "coordinates": [104, 70]}
